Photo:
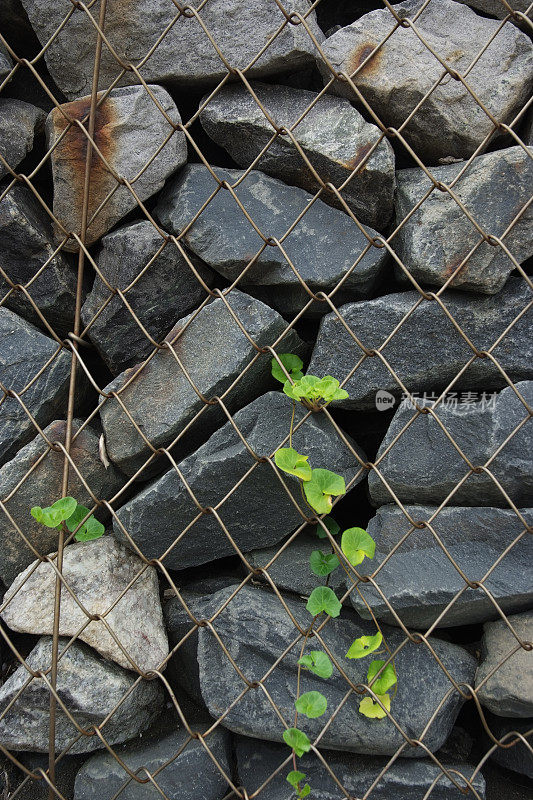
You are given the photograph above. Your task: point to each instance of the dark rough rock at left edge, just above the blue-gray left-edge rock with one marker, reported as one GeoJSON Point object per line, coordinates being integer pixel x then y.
{"type": "Point", "coordinates": [25, 246]}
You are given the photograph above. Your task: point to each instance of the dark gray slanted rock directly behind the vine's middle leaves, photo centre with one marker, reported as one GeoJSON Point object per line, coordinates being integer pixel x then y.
{"type": "Point", "coordinates": [258, 513]}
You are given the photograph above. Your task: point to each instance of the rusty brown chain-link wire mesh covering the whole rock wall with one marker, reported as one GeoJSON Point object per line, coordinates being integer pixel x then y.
{"type": "Point", "coordinates": [74, 344]}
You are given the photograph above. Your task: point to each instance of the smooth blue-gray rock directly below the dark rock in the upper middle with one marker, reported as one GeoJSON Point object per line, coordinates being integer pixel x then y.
{"type": "Point", "coordinates": [323, 247]}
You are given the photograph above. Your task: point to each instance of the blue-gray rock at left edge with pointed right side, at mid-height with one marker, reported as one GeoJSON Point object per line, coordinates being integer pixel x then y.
{"type": "Point", "coordinates": [24, 351]}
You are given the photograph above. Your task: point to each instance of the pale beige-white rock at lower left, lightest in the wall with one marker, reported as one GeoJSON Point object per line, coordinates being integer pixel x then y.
{"type": "Point", "coordinates": [98, 572]}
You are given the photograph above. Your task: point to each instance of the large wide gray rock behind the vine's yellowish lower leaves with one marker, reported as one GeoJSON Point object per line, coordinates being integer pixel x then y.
{"type": "Point", "coordinates": [256, 629]}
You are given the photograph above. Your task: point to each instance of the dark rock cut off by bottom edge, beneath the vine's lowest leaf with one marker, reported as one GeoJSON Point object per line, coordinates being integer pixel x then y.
{"type": "Point", "coordinates": [403, 780]}
